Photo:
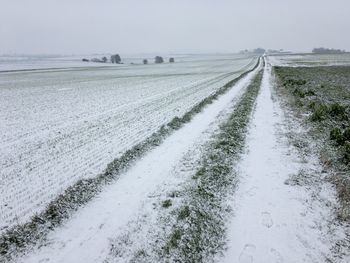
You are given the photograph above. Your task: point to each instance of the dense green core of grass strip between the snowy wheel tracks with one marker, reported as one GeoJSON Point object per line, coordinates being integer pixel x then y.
{"type": "Point", "coordinates": [198, 233]}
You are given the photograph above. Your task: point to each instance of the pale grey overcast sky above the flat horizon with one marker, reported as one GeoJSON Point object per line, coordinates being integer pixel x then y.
{"type": "Point", "coordinates": [145, 26]}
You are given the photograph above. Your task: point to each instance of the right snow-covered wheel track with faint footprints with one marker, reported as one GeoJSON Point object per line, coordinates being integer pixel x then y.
{"type": "Point", "coordinates": [274, 221]}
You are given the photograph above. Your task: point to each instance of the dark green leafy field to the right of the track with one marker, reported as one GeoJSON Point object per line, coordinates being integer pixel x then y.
{"type": "Point", "coordinates": [322, 96]}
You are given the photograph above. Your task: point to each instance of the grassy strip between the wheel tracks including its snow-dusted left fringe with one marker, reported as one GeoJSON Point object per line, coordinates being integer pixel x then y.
{"type": "Point", "coordinates": [191, 217]}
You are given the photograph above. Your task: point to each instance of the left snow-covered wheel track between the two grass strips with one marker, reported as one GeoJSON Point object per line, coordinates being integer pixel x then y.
{"type": "Point", "coordinates": [85, 238]}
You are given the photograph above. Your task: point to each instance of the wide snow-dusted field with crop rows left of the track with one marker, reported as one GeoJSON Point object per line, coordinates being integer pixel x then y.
{"type": "Point", "coordinates": [58, 126]}
